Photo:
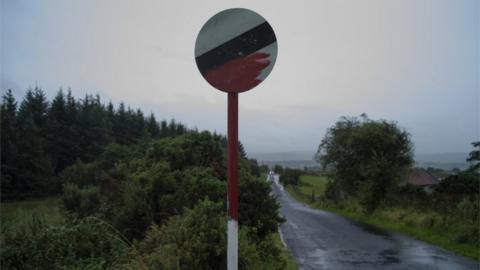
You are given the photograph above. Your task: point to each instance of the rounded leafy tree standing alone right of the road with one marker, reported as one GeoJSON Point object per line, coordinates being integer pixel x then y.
{"type": "Point", "coordinates": [367, 158]}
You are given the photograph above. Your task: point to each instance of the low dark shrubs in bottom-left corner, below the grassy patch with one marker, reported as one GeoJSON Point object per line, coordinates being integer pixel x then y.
{"type": "Point", "coordinates": [89, 244]}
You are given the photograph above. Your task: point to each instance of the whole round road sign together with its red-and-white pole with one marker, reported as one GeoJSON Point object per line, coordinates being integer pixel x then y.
{"type": "Point", "coordinates": [235, 51]}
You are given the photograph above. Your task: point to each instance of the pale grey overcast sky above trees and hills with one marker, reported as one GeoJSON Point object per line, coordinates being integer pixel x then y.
{"type": "Point", "coordinates": [415, 62]}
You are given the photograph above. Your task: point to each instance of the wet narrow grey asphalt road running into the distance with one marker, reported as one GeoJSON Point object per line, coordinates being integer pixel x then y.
{"type": "Point", "coordinates": [323, 240]}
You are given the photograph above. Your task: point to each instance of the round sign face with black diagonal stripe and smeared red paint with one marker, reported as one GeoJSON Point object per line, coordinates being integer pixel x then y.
{"type": "Point", "coordinates": [236, 50]}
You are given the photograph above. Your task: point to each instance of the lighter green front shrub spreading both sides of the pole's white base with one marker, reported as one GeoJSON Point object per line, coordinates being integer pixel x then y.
{"type": "Point", "coordinates": [196, 240]}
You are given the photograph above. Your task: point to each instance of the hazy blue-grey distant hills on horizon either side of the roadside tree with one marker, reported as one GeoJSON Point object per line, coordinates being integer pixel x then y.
{"type": "Point", "coordinates": [300, 159]}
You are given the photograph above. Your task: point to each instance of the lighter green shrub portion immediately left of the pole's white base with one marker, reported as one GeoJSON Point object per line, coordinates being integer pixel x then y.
{"type": "Point", "coordinates": [193, 240]}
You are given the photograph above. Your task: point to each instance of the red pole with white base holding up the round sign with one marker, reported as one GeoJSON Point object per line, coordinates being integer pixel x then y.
{"type": "Point", "coordinates": [232, 233]}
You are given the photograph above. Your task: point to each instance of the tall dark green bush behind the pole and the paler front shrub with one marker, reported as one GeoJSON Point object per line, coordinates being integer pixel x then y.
{"type": "Point", "coordinates": [138, 191]}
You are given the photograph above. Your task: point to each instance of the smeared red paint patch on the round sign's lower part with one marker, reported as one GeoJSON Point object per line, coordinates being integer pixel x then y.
{"type": "Point", "coordinates": [239, 74]}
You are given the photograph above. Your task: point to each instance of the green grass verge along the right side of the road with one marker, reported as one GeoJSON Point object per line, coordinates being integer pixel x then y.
{"type": "Point", "coordinates": [425, 226]}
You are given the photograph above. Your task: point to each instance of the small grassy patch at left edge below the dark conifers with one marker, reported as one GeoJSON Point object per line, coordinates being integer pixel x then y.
{"type": "Point", "coordinates": [23, 215]}
